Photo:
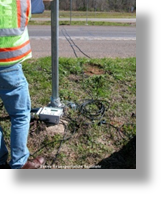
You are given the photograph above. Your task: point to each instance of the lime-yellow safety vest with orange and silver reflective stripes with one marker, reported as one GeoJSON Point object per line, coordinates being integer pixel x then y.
{"type": "Point", "coordinates": [14, 40]}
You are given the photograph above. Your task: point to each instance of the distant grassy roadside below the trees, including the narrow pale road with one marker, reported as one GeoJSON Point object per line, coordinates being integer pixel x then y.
{"type": "Point", "coordinates": [82, 18]}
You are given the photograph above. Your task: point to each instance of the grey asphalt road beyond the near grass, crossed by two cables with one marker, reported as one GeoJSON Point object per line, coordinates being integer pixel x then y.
{"type": "Point", "coordinates": [94, 41]}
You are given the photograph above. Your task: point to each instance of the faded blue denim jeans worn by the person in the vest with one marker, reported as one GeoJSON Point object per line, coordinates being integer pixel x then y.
{"type": "Point", "coordinates": [16, 99]}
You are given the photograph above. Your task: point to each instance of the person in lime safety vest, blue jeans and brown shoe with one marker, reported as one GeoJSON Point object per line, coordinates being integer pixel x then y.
{"type": "Point", "coordinates": [14, 49]}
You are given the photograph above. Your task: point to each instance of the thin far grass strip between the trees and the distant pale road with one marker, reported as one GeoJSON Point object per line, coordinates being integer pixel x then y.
{"type": "Point", "coordinates": [91, 14]}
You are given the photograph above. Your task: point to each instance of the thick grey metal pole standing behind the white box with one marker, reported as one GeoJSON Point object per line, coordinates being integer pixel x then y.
{"type": "Point", "coordinates": [55, 100]}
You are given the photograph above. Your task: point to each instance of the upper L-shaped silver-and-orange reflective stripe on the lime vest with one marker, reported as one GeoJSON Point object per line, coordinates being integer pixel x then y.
{"type": "Point", "coordinates": [23, 11]}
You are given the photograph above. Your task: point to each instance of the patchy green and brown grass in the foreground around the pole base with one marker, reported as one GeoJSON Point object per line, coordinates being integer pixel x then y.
{"type": "Point", "coordinates": [88, 142]}
